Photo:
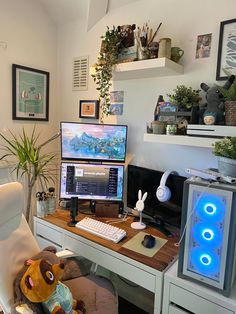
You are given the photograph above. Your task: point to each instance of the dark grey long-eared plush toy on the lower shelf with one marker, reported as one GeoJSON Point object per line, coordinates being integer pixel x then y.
{"type": "Point", "coordinates": [214, 108]}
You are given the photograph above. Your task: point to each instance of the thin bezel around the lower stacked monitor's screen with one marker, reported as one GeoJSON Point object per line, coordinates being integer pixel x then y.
{"type": "Point", "coordinates": [95, 164]}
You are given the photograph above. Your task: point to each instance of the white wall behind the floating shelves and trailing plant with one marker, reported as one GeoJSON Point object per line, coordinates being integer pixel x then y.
{"type": "Point", "coordinates": [182, 21]}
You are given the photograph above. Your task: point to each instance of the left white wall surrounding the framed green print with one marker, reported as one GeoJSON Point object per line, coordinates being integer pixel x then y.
{"type": "Point", "coordinates": [31, 40]}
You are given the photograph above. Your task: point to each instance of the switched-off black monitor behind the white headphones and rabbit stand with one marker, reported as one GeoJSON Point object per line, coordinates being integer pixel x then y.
{"type": "Point", "coordinates": [148, 180]}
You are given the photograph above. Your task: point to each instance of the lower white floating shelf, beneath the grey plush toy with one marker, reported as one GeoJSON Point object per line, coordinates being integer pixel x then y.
{"type": "Point", "coordinates": [180, 140]}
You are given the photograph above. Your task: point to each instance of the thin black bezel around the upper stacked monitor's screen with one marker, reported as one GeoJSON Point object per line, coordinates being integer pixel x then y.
{"type": "Point", "coordinates": [102, 160]}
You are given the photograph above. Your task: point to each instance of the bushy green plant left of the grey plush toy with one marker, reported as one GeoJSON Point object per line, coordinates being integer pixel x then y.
{"type": "Point", "coordinates": [184, 97]}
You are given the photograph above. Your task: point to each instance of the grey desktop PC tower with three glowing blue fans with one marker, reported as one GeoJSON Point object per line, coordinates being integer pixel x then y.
{"type": "Point", "coordinates": [208, 228]}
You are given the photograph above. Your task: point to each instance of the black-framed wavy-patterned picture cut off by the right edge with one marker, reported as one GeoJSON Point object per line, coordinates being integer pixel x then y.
{"type": "Point", "coordinates": [226, 61]}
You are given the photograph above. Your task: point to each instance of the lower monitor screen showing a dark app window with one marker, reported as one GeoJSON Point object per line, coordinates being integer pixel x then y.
{"type": "Point", "coordinates": [91, 181]}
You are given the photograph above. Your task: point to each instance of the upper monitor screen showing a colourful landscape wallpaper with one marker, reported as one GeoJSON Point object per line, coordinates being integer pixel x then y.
{"type": "Point", "coordinates": [89, 141]}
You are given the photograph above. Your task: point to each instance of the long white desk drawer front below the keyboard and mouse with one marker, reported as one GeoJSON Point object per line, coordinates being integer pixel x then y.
{"type": "Point", "coordinates": [114, 264]}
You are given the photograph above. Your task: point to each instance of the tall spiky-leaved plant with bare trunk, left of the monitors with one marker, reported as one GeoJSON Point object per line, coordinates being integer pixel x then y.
{"type": "Point", "coordinates": [29, 159]}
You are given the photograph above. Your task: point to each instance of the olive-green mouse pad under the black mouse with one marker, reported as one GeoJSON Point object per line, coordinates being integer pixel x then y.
{"type": "Point", "coordinates": [135, 244]}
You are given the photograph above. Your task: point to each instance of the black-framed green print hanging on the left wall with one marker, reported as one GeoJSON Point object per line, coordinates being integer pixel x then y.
{"type": "Point", "coordinates": [30, 93]}
